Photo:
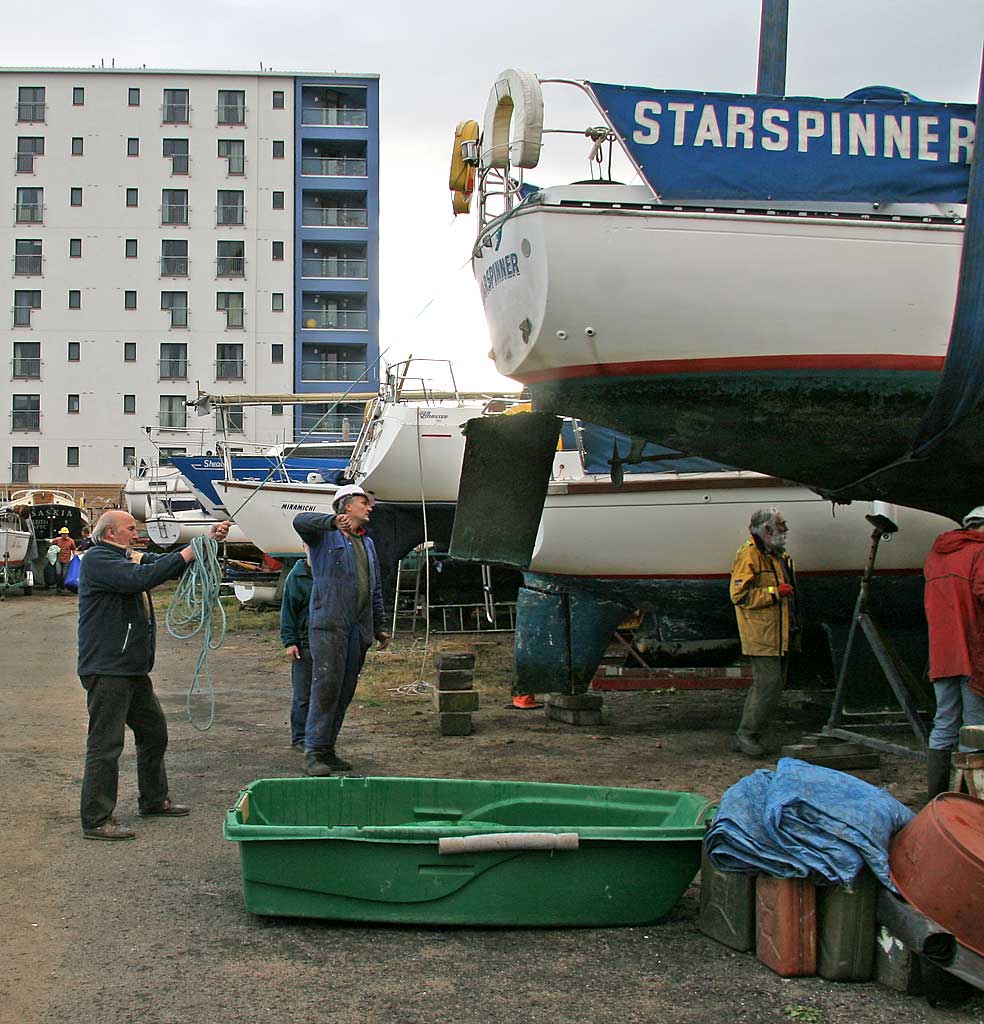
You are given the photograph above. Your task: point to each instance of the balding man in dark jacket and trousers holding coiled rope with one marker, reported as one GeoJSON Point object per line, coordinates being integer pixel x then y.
{"type": "Point", "coordinates": [117, 642]}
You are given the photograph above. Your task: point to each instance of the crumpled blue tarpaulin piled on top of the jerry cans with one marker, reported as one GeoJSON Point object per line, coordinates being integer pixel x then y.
{"type": "Point", "coordinates": [803, 820]}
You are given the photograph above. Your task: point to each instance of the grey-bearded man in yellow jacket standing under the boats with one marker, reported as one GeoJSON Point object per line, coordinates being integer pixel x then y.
{"type": "Point", "coordinates": [763, 592]}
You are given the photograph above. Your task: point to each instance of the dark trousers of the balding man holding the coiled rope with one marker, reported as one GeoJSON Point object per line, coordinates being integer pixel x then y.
{"type": "Point", "coordinates": [115, 703]}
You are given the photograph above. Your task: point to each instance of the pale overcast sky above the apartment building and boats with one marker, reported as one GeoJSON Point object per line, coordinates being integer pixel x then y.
{"type": "Point", "coordinates": [438, 62]}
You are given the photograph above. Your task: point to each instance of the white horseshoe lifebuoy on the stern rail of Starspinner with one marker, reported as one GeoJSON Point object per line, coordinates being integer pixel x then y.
{"type": "Point", "coordinates": [515, 121]}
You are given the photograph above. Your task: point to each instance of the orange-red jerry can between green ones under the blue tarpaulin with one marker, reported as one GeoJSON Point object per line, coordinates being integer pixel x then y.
{"type": "Point", "coordinates": [786, 925]}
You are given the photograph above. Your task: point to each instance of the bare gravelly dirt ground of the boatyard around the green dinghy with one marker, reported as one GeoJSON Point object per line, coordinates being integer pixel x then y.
{"type": "Point", "coordinates": [155, 930]}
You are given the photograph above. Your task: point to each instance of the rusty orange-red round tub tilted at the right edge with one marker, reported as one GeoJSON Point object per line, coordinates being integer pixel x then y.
{"type": "Point", "coordinates": [937, 864]}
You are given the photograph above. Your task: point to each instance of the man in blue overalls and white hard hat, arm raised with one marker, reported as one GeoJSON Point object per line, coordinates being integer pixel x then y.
{"type": "Point", "coordinates": [347, 614]}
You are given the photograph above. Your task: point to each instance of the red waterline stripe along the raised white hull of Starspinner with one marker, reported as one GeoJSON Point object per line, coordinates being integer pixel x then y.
{"type": "Point", "coordinates": [740, 364]}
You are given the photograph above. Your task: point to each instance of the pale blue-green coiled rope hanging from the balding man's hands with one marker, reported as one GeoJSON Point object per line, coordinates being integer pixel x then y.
{"type": "Point", "coordinates": [196, 609]}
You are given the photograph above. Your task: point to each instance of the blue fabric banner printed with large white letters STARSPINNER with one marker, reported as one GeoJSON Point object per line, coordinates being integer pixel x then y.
{"type": "Point", "coordinates": [722, 147]}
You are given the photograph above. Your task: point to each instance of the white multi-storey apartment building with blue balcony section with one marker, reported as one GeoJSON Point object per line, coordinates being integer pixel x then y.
{"type": "Point", "coordinates": [160, 237]}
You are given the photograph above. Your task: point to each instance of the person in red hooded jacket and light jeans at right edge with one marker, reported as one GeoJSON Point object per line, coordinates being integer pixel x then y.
{"type": "Point", "coordinates": [955, 611]}
